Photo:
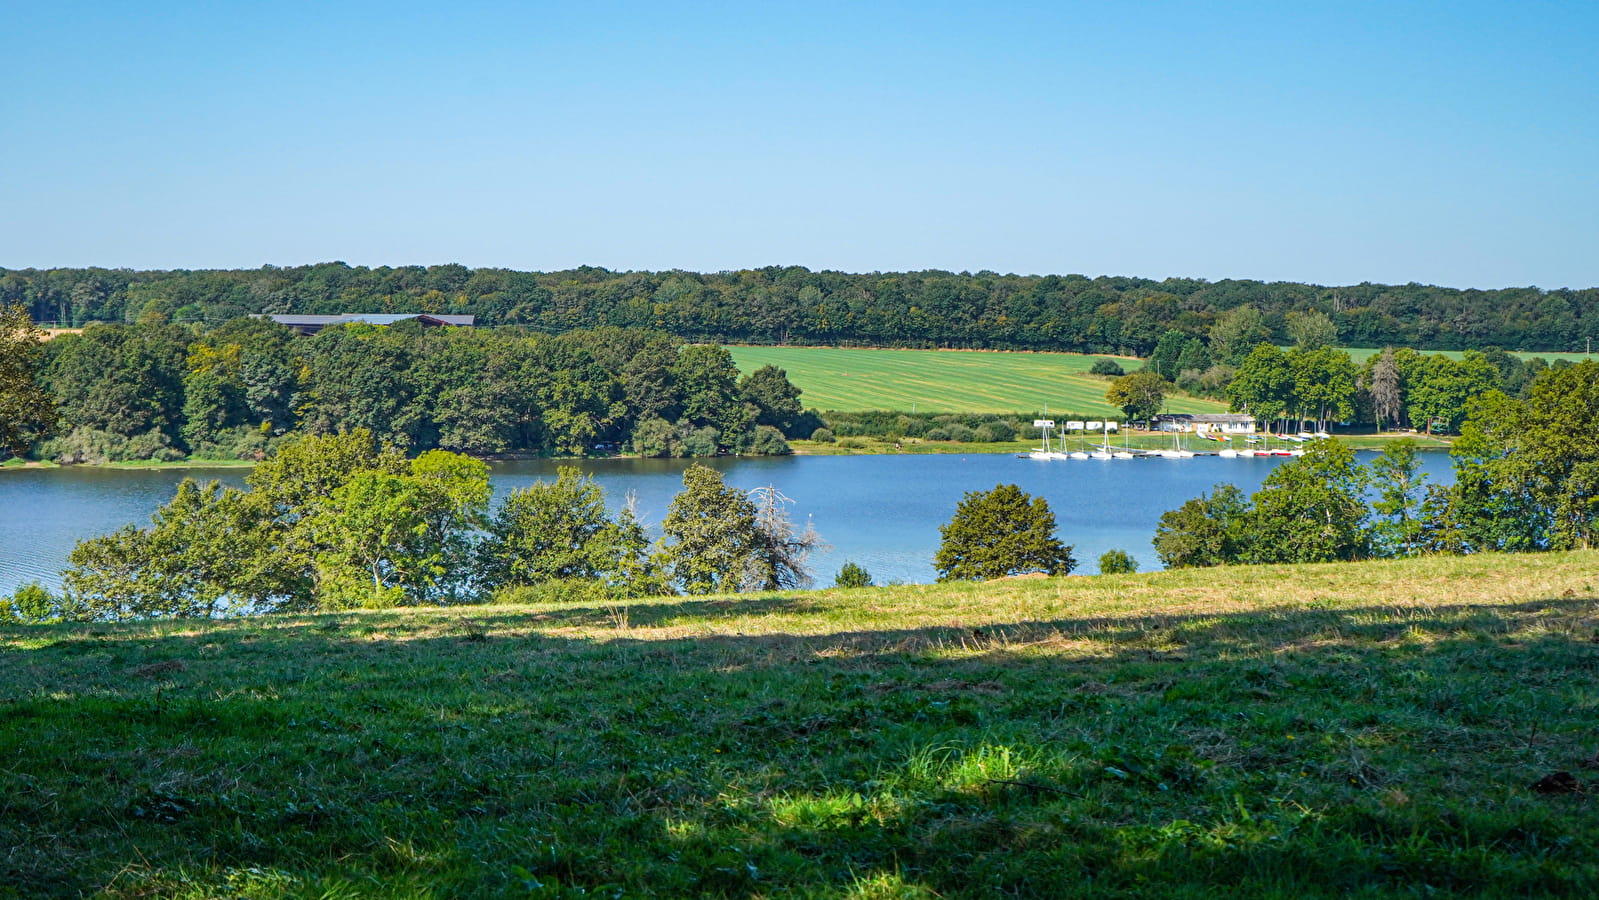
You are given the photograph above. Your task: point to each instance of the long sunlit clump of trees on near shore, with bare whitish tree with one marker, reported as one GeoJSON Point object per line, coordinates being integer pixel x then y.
{"type": "Point", "coordinates": [341, 522]}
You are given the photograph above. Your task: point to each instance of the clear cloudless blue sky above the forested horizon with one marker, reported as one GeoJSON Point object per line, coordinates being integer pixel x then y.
{"type": "Point", "coordinates": [1449, 143]}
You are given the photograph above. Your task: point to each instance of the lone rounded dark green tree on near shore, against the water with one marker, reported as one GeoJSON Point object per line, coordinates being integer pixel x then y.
{"type": "Point", "coordinates": [1002, 533]}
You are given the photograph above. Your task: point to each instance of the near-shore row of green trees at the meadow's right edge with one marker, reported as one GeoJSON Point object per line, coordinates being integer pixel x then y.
{"type": "Point", "coordinates": [1526, 480]}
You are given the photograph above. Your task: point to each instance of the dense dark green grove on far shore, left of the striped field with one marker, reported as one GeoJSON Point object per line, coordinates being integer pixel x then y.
{"type": "Point", "coordinates": [165, 391]}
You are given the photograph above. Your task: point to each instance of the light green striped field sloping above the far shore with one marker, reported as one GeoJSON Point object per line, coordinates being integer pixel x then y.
{"type": "Point", "coordinates": [947, 381]}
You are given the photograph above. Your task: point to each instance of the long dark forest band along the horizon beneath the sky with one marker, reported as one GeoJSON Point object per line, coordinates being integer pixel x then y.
{"type": "Point", "coordinates": [797, 306]}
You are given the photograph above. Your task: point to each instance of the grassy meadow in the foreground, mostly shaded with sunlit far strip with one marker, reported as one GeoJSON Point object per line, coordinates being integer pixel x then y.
{"type": "Point", "coordinates": [1315, 731]}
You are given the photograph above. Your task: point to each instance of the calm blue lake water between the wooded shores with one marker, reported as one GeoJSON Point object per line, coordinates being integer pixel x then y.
{"type": "Point", "coordinates": [882, 512]}
